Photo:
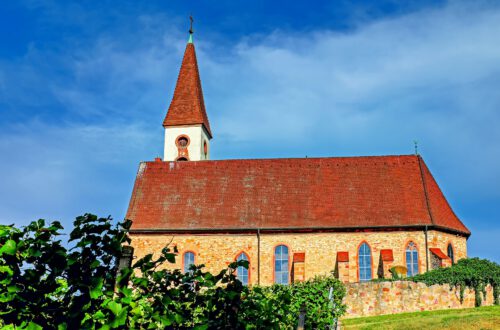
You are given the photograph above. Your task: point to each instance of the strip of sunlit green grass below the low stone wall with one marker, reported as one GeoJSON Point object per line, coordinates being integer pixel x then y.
{"type": "Point", "coordinates": [487, 317]}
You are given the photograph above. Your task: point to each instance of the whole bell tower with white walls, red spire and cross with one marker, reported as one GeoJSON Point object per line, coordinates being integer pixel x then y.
{"type": "Point", "coordinates": [187, 130]}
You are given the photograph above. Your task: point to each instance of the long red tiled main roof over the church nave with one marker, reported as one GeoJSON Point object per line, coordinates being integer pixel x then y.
{"type": "Point", "coordinates": [344, 192]}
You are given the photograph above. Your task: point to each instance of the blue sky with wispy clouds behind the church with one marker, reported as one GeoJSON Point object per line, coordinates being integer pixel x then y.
{"type": "Point", "coordinates": [84, 87]}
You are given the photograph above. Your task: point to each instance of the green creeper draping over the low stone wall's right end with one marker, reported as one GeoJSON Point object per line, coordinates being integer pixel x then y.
{"type": "Point", "coordinates": [473, 273]}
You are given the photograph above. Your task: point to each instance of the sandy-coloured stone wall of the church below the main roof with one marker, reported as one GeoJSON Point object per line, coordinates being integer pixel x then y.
{"type": "Point", "coordinates": [319, 250]}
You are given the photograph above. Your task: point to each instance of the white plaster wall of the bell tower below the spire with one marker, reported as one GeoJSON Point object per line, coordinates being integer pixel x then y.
{"type": "Point", "coordinates": [196, 134]}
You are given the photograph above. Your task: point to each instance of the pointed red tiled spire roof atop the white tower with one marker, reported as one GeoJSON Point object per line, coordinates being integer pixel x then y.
{"type": "Point", "coordinates": [187, 106]}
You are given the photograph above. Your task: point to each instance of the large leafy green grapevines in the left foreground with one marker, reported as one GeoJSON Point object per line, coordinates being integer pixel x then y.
{"type": "Point", "coordinates": [45, 284]}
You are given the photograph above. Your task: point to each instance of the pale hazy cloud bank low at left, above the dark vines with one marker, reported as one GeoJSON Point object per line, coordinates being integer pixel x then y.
{"type": "Point", "coordinates": [60, 172]}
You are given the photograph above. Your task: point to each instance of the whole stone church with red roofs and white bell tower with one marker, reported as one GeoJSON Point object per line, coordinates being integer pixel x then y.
{"type": "Point", "coordinates": [290, 218]}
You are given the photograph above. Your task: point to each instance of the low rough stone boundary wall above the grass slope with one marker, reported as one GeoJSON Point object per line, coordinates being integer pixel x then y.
{"type": "Point", "coordinates": [379, 298]}
